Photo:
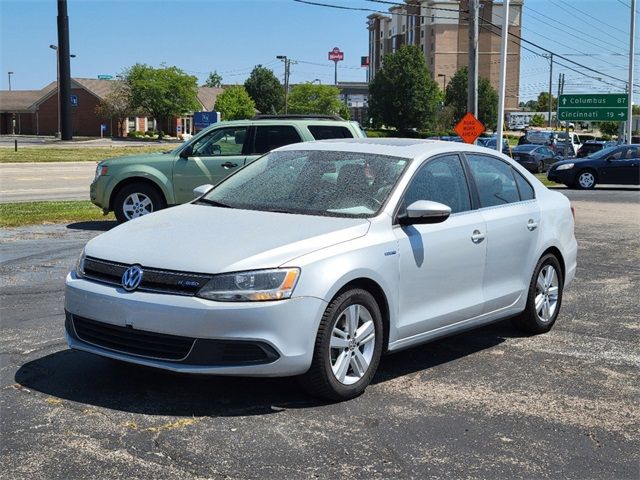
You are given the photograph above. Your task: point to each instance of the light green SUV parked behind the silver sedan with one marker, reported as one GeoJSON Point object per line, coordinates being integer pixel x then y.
{"type": "Point", "coordinates": [136, 185]}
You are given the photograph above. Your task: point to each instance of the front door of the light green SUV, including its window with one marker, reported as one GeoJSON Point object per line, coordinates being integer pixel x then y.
{"type": "Point", "coordinates": [215, 155]}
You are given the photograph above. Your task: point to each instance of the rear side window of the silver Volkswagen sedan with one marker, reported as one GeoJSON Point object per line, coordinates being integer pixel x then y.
{"type": "Point", "coordinates": [494, 179]}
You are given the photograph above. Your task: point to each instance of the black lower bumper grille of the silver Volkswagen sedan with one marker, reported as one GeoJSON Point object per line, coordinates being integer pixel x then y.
{"type": "Point", "coordinates": [185, 350]}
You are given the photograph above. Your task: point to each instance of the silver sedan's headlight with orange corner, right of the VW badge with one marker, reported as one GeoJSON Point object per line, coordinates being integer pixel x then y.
{"type": "Point", "coordinates": [254, 286]}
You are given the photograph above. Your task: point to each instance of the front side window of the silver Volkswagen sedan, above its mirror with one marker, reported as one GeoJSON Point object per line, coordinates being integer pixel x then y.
{"type": "Point", "coordinates": [441, 180]}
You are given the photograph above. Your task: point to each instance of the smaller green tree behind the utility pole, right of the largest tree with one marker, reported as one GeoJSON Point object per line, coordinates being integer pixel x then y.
{"type": "Point", "coordinates": [456, 95]}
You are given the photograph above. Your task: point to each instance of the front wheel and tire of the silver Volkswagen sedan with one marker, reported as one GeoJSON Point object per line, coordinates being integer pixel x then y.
{"type": "Point", "coordinates": [325, 378]}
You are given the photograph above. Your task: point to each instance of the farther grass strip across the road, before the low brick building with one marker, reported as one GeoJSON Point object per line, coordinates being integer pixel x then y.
{"type": "Point", "coordinates": [77, 154]}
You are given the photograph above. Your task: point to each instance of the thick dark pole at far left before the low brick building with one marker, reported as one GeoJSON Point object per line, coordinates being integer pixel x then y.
{"type": "Point", "coordinates": [65, 72]}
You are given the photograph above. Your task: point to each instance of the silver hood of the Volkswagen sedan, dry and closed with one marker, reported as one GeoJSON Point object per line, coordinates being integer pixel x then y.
{"type": "Point", "coordinates": [207, 239]}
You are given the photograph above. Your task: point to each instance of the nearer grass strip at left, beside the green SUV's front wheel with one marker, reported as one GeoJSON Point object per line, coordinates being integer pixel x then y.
{"type": "Point", "coordinates": [32, 213]}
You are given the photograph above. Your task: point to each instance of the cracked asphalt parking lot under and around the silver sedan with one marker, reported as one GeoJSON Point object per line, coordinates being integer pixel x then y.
{"type": "Point", "coordinates": [486, 404]}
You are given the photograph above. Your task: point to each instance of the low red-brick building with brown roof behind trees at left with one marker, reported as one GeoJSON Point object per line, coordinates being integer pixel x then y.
{"type": "Point", "coordinates": [35, 112]}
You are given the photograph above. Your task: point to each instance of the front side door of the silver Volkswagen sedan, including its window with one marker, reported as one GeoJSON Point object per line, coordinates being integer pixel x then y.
{"type": "Point", "coordinates": [441, 265]}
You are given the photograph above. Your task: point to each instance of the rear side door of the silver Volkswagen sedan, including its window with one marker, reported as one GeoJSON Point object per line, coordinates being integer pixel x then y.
{"type": "Point", "coordinates": [511, 229]}
